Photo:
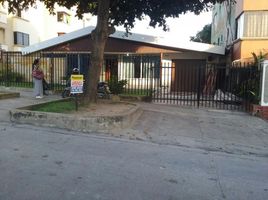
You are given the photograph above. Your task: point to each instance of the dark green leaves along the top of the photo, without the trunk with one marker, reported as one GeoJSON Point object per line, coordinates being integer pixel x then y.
{"type": "Point", "coordinates": [125, 12]}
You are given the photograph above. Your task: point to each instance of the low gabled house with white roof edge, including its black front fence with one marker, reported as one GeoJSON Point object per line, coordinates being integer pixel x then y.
{"type": "Point", "coordinates": [190, 73]}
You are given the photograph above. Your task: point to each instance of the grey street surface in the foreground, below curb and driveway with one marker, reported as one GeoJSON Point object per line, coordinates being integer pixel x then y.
{"type": "Point", "coordinates": [50, 164]}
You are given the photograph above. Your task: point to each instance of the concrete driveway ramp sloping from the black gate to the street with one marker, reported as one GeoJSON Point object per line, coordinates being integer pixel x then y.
{"type": "Point", "coordinates": [215, 130]}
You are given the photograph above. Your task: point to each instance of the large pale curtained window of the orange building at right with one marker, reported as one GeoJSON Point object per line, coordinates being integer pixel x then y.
{"type": "Point", "coordinates": [252, 24]}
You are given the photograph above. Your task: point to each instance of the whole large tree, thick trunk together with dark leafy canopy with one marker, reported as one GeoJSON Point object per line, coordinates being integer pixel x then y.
{"type": "Point", "coordinates": [111, 13]}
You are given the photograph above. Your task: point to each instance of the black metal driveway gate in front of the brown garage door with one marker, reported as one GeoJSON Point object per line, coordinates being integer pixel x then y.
{"type": "Point", "coordinates": [199, 84]}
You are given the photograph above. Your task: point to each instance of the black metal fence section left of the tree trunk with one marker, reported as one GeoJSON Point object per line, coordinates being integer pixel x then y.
{"type": "Point", "coordinates": [16, 68]}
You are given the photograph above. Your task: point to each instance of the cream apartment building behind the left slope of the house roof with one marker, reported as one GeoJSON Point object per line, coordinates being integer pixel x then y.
{"type": "Point", "coordinates": [35, 25]}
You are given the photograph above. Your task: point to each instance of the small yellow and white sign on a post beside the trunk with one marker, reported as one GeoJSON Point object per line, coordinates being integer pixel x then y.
{"type": "Point", "coordinates": [77, 83]}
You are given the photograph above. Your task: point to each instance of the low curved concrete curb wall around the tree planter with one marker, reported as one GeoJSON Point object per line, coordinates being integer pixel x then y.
{"type": "Point", "coordinates": [76, 123]}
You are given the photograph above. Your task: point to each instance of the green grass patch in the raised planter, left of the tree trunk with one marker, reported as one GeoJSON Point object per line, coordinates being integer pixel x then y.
{"type": "Point", "coordinates": [56, 107]}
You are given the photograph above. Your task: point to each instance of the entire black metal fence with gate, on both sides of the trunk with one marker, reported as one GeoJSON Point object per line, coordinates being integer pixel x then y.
{"type": "Point", "coordinates": [178, 82]}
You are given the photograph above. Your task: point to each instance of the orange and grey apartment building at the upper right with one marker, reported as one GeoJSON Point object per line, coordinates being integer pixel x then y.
{"type": "Point", "coordinates": [242, 28]}
